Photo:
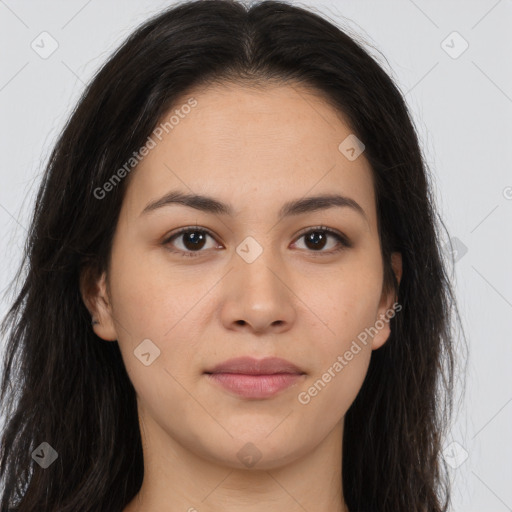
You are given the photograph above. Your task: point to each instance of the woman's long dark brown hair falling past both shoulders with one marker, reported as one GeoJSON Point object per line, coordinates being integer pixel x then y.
{"type": "Point", "coordinates": [65, 386]}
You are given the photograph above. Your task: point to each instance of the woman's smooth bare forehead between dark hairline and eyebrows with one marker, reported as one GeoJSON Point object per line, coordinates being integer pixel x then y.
{"type": "Point", "coordinates": [247, 145]}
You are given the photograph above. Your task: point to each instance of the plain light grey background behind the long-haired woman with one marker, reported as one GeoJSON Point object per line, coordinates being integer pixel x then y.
{"type": "Point", "coordinates": [462, 107]}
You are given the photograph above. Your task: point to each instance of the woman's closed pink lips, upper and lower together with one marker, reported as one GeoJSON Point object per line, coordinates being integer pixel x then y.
{"type": "Point", "coordinates": [255, 378]}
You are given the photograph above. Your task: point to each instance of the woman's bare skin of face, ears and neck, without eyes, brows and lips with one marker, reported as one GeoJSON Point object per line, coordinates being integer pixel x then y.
{"type": "Point", "coordinates": [254, 149]}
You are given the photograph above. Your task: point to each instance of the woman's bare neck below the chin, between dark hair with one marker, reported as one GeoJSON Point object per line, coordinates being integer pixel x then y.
{"type": "Point", "coordinates": [175, 479]}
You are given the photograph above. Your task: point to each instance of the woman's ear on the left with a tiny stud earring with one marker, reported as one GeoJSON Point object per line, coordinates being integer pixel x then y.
{"type": "Point", "coordinates": [94, 292]}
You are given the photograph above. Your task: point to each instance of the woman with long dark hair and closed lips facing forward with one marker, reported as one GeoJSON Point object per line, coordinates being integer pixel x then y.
{"type": "Point", "coordinates": [235, 297]}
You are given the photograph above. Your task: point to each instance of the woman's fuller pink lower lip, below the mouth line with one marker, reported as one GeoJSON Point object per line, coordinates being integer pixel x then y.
{"type": "Point", "coordinates": [255, 386]}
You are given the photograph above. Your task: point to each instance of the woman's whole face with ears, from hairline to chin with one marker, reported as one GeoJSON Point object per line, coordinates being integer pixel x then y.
{"type": "Point", "coordinates": [305, 286]}
